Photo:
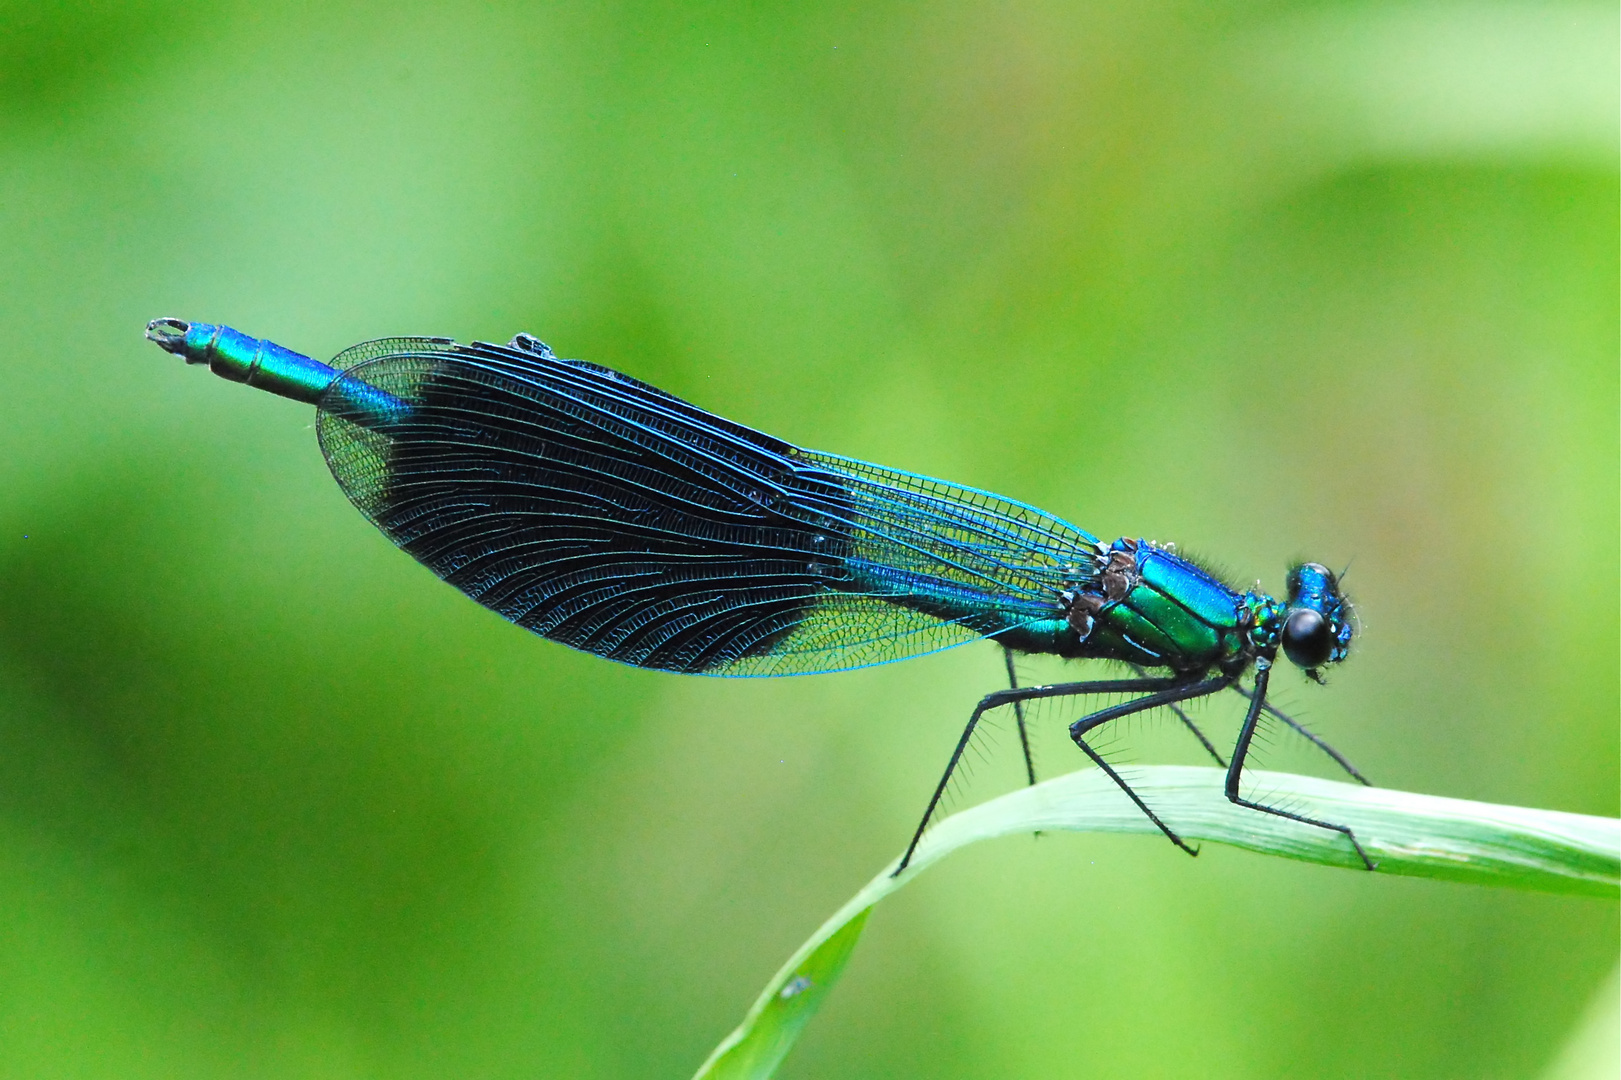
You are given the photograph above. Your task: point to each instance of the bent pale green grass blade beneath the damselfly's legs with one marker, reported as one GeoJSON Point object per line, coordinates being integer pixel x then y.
{"type": "Point", "coordinates": [1421, 836]}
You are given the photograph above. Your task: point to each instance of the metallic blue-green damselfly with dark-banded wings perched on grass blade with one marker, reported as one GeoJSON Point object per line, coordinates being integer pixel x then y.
{"type": "Point", "coordinates": [607, 515]}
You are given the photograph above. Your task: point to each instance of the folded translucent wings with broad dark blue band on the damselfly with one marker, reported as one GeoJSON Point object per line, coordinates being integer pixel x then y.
{"type": "Point", "coordinates": [610, 516]}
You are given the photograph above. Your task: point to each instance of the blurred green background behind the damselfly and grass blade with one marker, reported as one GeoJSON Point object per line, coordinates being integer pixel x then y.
{"type": "Point", "coordinates": [1268, 280]}
